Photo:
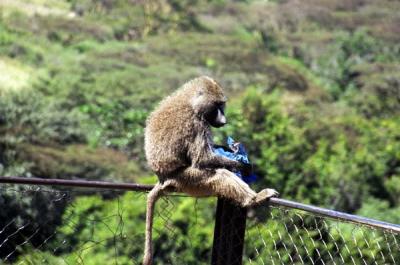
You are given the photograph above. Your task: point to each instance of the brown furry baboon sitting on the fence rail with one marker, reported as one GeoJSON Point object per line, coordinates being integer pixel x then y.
{"type": "Point", "coordinates": [179, 149]}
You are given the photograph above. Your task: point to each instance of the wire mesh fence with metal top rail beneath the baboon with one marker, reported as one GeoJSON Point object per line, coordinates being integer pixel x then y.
{"type": "Point", "coordinates": [46, 221]}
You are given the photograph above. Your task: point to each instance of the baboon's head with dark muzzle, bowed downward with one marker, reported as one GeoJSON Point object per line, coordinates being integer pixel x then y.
{"type": "Point", "coordinates": [208, 101]}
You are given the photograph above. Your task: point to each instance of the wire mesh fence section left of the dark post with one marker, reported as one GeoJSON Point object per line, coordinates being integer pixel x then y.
{"type": "Point", "coordinates": [41, 225]}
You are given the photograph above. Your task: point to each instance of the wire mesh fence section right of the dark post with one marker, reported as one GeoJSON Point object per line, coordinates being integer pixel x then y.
{"type": "Point", "coordinates": [291, 236]}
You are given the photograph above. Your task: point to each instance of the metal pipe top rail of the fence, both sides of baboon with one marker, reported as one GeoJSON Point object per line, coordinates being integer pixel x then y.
{"type": "Point", "coordinates": [145, 187]}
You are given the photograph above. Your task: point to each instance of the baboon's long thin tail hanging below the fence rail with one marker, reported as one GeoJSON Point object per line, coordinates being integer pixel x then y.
{"type": "Point", "coordinates": [152, 197]}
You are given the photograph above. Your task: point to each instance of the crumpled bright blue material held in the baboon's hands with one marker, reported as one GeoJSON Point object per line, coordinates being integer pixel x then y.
{"type": "Point", "coordinates": [238, 153]}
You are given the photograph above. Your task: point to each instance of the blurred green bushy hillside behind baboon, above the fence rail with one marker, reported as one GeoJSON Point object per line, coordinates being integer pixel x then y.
{"type": "Point", "coordinates": [314, 90]}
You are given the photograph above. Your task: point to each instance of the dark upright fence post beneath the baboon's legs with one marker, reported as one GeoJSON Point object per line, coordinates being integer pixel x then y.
{"type": "Point", "coordinates": [229, 231]}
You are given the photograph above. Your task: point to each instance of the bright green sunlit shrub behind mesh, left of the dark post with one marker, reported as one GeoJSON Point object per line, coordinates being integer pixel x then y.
{"type": "Point", "coordinates": [92, 219]}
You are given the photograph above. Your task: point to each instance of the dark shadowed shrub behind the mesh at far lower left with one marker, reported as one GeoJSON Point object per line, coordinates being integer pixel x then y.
{"type": "Point", "coordinates": [22, 211]}
